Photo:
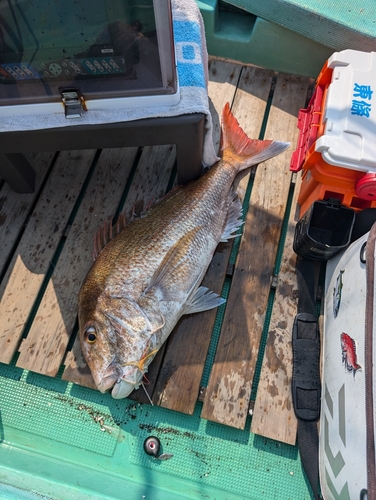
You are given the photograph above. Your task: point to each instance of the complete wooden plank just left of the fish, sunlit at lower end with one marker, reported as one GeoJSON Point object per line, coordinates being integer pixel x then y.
{"type": "Point", "coordinates": [44, 348]}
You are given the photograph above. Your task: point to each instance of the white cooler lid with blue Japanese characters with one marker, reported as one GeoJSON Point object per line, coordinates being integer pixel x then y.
{"type": "Point", "coordinates": [349, 139]}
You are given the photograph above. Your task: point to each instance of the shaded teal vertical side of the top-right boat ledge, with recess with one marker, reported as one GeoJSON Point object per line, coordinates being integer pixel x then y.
{"type": "Point", "coordinates": [240, 35]}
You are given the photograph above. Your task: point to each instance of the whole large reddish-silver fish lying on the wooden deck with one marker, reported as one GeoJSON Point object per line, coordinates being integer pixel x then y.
{"type": "Point", "coordinates": [148, 275]}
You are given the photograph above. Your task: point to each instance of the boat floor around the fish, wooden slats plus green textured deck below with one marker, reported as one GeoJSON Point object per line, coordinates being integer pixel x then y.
{"type": "Point", "coordinates": [222, 402]}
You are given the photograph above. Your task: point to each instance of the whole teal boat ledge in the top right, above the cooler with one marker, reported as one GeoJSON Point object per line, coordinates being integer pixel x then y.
{"type": "Point", "coordinates": [292, 36]}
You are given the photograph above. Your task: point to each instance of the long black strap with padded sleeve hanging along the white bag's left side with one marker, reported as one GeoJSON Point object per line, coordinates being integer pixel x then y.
{"type": "Point", "coordinates": [306, 385]}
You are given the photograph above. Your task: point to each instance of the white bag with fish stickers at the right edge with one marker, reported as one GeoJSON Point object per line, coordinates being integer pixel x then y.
{"type": "Point", "coordinates": [347, 467]}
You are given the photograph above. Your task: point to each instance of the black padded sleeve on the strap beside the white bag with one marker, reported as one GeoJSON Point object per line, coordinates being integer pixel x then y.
{"type": "Point", "coordinates": [306, 384]}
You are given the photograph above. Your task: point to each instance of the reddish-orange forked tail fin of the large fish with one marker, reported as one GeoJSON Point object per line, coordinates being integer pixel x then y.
{"type": "Point", "coordinates": [238, 144]}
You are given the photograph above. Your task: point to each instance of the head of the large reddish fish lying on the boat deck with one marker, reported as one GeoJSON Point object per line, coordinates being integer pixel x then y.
{"type": "Point", "coordinates": [118, 341]}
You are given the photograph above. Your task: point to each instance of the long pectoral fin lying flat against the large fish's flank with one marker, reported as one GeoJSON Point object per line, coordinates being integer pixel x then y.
{"type": "Point", "coordinates": [173, 263]}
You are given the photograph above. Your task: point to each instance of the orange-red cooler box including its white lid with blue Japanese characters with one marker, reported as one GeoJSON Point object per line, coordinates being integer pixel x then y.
{"type": "Point", "coordinates": [337, 143]}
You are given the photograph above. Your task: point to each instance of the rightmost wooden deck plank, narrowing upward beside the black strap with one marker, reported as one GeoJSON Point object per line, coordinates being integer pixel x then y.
{"type": "Point", "coordinates": [273, 414]}
